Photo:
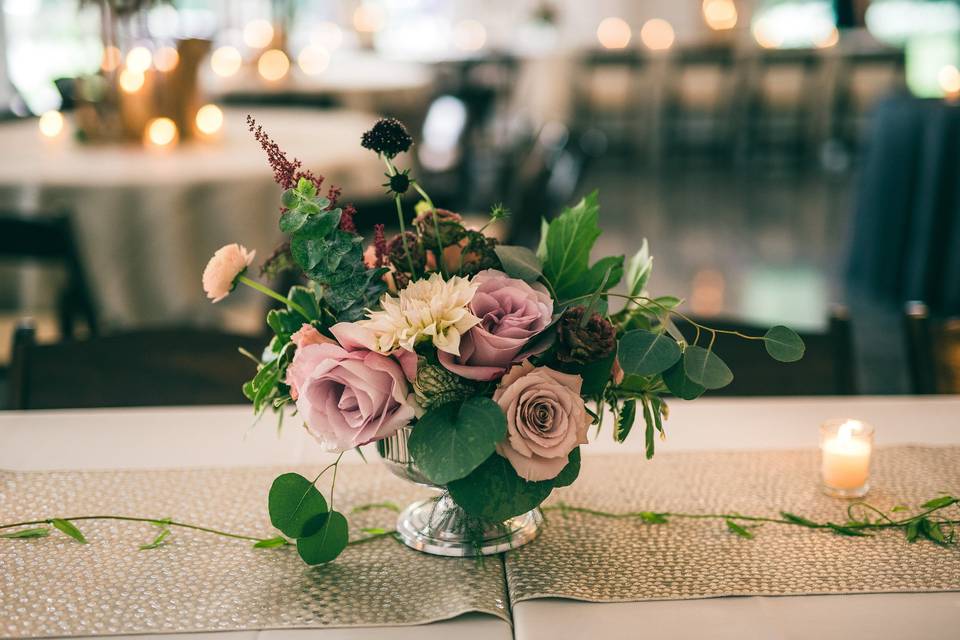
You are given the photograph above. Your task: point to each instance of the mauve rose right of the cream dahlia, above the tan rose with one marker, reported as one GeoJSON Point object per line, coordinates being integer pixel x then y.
{"type": "Point", "coordinates": [511, 312]}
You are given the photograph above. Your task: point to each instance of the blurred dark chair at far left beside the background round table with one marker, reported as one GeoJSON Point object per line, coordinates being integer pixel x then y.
{"type": "Point", "coordinates": [50, 239]}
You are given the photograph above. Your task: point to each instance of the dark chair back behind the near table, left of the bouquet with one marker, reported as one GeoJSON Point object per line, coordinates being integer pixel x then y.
{"type": "Point", "coordinates": [141, 368]}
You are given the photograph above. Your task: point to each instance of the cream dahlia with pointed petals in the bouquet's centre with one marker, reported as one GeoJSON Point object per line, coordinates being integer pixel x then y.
{"type": "Point", "coordinates": [431, 309]}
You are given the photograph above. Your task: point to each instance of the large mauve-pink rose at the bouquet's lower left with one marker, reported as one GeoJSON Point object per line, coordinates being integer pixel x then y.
{"type": "Point", "coordinates": [348, 396]}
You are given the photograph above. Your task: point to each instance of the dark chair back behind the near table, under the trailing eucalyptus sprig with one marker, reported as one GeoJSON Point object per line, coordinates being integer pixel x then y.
{"type": "Point", "coordinates": [827, 367]}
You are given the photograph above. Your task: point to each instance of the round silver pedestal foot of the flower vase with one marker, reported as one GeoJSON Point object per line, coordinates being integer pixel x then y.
{"type": "Point", "coordinates": [439, 527]}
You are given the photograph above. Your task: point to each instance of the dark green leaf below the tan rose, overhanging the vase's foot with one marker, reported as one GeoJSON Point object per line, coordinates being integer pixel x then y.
{"type": "Point", "coordinates": [494, 491]}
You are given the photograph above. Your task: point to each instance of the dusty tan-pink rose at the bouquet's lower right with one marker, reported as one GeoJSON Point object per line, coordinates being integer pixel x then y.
{"type": "Point", "coordinates": [546, 419]}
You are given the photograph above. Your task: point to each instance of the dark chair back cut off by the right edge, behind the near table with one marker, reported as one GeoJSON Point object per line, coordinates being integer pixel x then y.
{"type": "Point", "coordinates": [933, 351]}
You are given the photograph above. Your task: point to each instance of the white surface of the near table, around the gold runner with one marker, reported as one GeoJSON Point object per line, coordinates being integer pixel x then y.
{"type": "Point", "coordinates": [208, 436]}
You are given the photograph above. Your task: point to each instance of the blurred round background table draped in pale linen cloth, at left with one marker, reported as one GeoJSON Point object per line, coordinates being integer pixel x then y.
{"type": "Point", "coordinates": [147, 221]}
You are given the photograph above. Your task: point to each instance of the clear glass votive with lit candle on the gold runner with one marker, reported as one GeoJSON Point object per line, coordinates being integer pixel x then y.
{"type": "Point", "coordinates": [845, 449]}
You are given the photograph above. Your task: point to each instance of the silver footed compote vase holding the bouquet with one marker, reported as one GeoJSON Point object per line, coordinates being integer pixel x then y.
{"type": "Point", "coordinates": [439, 526]}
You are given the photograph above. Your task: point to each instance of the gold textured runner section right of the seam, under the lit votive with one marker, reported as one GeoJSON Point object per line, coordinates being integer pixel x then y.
{"type": "Point", "coordinates": [588, 558]}
